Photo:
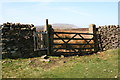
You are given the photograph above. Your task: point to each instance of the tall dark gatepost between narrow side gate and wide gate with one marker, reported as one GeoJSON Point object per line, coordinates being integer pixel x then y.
{"type": "Point", "coordinates": [49, 37]}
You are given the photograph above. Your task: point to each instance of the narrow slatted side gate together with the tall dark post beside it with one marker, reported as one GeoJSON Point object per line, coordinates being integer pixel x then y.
{"type": "Point", "coordinates": [43, 39]}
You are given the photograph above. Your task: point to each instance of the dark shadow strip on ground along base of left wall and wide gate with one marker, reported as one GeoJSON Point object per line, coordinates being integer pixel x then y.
{"type": "Point", "coordinates": [39, 54]}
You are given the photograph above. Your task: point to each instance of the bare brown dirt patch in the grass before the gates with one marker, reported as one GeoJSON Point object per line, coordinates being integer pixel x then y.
{"type": "Point", "coordinates": [54, 62]}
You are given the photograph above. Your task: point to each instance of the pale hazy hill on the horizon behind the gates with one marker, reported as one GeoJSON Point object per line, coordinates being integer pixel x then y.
{"type": "Point", "coordinates": [58, 26]}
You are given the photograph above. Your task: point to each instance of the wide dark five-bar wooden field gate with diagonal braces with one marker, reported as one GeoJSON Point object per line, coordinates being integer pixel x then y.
{"type": "Point", "coordinates": [76, 44]}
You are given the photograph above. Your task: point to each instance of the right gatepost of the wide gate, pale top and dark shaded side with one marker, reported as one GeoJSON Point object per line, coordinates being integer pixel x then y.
{"type": "Point", "coordinates": [92, 29]}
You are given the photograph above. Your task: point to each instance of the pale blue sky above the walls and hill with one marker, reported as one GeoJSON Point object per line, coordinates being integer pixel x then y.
{"type": "Point", "coordinates": [80, 14]}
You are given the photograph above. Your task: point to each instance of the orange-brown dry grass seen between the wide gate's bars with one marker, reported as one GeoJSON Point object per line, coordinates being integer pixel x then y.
{"type": "Point", "coordinates": [73, 41]}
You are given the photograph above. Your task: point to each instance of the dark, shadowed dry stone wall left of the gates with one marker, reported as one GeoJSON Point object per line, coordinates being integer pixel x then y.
{"type": "Point", "coordinates": [17, 40]}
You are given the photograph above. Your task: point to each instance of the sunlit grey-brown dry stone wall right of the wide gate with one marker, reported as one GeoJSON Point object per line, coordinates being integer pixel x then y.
{"type": "Point", "coordinates": [109, 36]}
